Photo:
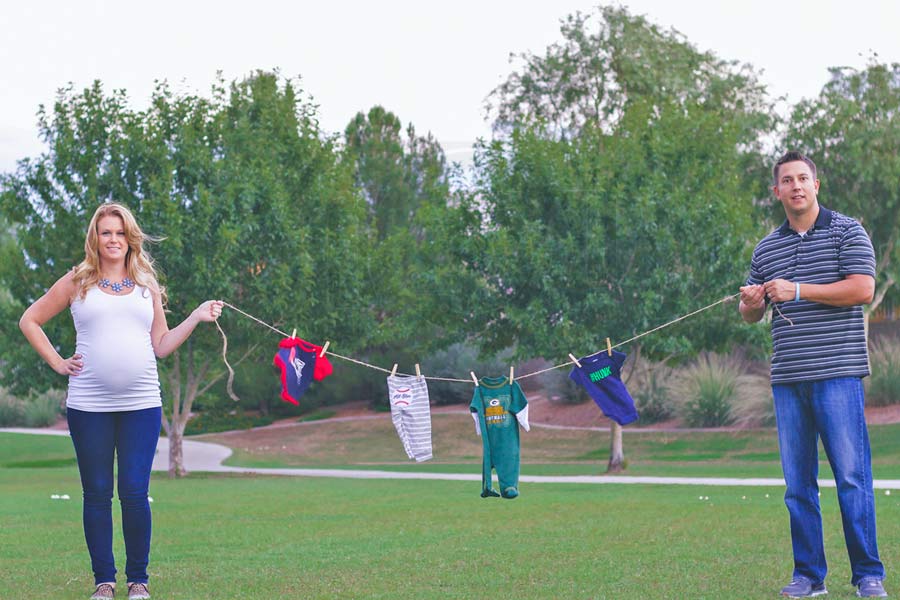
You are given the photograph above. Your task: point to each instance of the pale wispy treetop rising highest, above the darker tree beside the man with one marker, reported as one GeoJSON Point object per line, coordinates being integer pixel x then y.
{"type": "Point", "coordinates": [609, 59]}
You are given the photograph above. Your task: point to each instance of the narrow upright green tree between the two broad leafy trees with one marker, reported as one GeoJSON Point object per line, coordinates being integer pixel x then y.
{"type": "Point", "coordinates": [403, 177]}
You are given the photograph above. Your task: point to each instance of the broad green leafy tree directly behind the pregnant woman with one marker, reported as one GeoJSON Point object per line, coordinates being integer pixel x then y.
{"type": "Point", "coordinates": [250, 198]}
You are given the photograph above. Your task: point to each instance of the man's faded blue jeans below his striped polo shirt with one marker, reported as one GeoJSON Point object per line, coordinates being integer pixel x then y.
{"type": "Point", "coordinates": [833, 410]}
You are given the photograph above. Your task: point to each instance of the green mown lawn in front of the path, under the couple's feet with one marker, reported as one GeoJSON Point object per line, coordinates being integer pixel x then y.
{"type": "Point", "coordinates": [265, 537]}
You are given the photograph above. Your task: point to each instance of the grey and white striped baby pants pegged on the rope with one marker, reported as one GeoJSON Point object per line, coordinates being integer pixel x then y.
{"type": "Point", "coordinates": [411, 414]}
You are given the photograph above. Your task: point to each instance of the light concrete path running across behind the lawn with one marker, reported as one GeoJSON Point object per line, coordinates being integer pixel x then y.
{"type": "Point", "coordinates": [208, 457]}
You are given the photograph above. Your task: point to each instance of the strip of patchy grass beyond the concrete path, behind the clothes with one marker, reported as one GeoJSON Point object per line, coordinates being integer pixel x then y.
{"type": "Point", "coordinates": [374, 444]}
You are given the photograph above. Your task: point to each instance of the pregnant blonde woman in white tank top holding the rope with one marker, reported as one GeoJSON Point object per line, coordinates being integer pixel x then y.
{"type": "Point", "coordinates": [113, 404]}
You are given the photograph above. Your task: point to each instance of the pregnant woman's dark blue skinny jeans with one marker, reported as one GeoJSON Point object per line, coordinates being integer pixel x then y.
{"type": "Point", "coordinates": [97, 437]}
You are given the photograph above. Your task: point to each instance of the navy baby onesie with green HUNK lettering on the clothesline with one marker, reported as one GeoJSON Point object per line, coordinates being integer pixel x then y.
{"type": "Point", "coordinates": [599, 375]}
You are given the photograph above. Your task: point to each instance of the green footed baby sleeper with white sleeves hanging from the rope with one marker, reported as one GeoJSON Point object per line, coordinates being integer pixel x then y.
{"type": "Point", "coordinates": [494, 403]}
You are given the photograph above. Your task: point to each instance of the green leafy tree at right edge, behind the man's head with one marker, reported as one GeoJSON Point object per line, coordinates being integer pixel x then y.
{"type": "Point", "coordinates": [852, 131]}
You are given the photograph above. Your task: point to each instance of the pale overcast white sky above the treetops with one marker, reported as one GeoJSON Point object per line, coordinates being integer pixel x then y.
{"type": "Point", "coordinates": [430, 63]}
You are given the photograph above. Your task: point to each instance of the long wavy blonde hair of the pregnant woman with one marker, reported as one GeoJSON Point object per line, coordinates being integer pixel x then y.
{"type": "Point", "coordinates": [138, 261]}
